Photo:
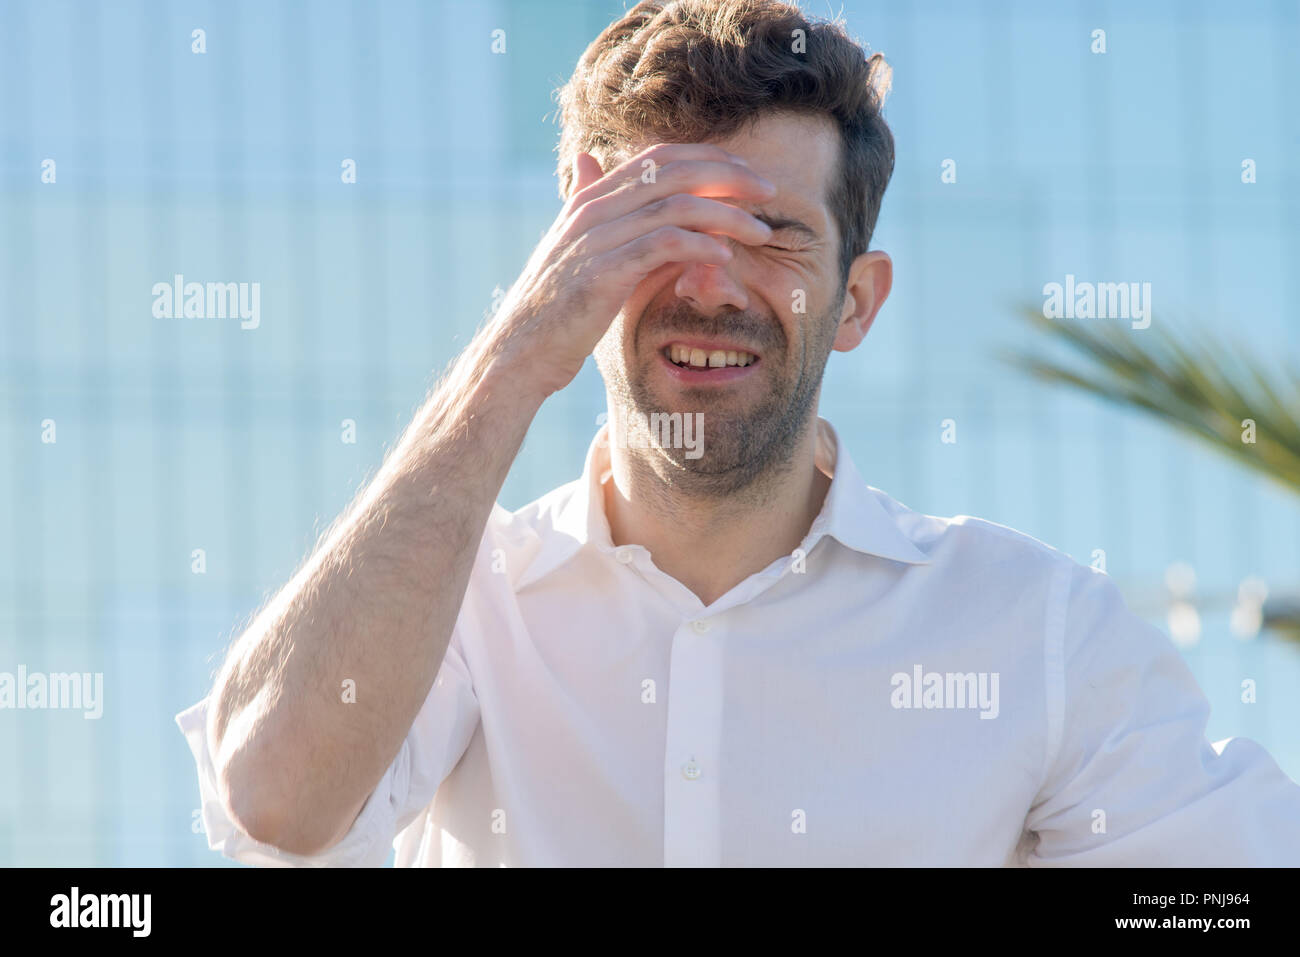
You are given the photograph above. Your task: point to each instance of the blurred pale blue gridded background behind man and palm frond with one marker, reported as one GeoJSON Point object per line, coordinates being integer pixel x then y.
{"type": "Point", "coordinates": [184, 435]}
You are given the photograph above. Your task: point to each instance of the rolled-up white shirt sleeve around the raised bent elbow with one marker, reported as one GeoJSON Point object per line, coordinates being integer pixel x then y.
{"type": "Point", "coordinates": [434, 746]}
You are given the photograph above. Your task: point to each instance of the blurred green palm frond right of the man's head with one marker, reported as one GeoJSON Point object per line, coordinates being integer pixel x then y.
{"type": "Point", "coordinates": [1201, 384]}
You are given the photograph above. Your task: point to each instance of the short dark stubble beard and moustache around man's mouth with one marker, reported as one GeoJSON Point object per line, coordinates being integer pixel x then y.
{"type": "Point", "coordinates": [744, 445]}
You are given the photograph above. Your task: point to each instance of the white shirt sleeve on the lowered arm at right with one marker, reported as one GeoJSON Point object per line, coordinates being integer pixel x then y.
{"type": "Point", "coordinates": [1132, 778]}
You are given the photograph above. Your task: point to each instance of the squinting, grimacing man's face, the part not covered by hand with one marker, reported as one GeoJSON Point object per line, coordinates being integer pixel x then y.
{"type": "Point", "coordinates": [779, 304]}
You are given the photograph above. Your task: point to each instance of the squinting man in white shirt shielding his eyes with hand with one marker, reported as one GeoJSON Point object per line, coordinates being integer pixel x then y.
{"type": "Point", "coordinates": [720, 646]}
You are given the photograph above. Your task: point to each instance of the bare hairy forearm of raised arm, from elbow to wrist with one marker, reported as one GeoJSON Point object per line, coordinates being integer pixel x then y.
{"type": "Point", "coordinates": [376, 605]}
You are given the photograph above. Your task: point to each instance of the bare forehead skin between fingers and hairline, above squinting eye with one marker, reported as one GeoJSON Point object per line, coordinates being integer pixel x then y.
{"type": "Point", "coordinates": [800, 153]}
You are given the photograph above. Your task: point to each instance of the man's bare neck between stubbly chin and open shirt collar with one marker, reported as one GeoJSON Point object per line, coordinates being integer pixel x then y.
{"type": "Point", "coordinates": [710, 544]}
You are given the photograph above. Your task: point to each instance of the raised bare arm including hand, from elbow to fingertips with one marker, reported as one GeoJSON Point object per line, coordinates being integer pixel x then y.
{"type": "Point", "coordinates": [378, 601]}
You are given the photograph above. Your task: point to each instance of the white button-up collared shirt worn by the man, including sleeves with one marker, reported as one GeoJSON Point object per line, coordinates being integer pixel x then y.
{"type": "Point", "coordinates": [592, 712]}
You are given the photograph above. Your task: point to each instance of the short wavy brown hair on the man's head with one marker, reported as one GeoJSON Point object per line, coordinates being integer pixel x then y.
{"type": "Point", "coordinates": [697, 71]}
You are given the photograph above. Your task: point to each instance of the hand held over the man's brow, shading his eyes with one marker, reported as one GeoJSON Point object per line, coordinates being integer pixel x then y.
{"type": "Point", "coordinates": [656, 209]}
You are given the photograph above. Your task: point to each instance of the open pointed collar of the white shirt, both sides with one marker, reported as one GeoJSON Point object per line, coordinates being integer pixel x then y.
{"type": "Point", "coordinates": [853, 513]}
